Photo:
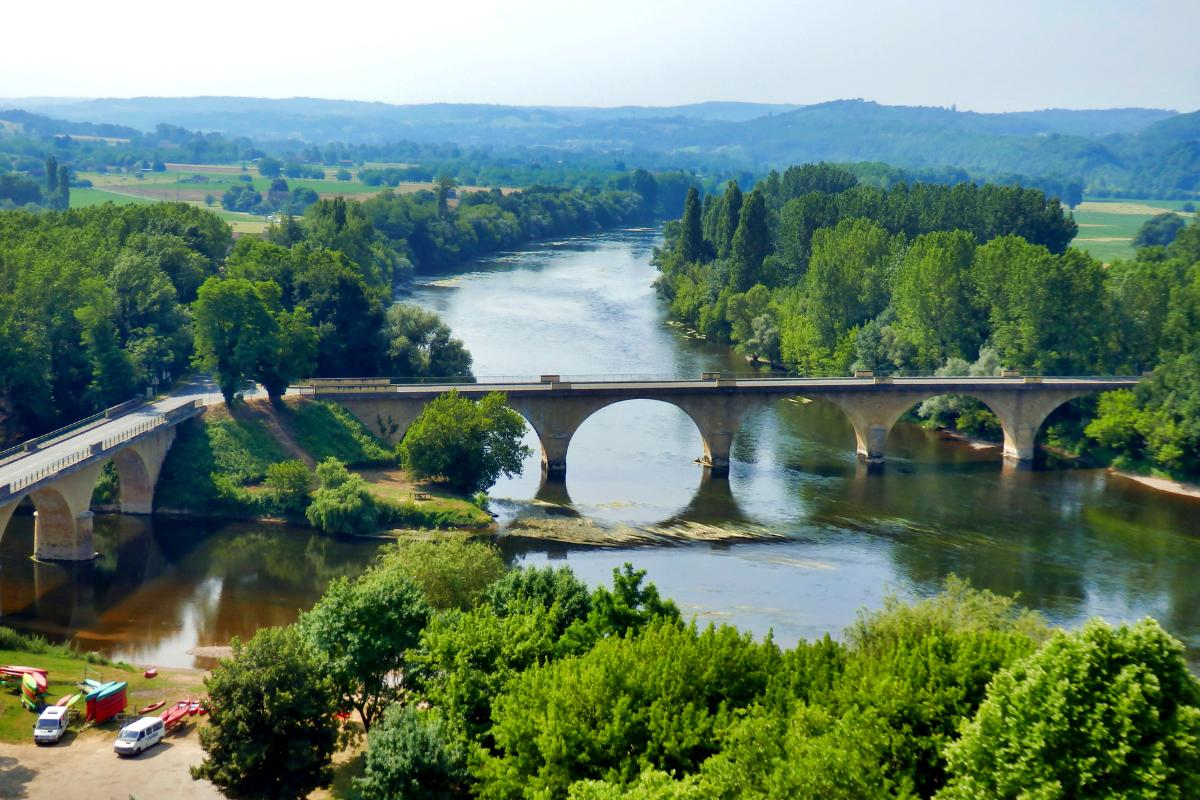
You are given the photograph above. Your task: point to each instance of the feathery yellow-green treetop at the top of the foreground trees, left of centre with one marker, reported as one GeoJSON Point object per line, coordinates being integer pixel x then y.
{"type": "Point", "coordinates": [451, 570]}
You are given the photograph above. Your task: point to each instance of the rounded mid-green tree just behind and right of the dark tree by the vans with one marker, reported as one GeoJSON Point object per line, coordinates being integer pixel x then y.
{"type": "Point", "coordinates": [363, 633]}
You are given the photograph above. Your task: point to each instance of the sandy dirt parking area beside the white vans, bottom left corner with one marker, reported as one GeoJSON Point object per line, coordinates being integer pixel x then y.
{"type": "Point", "coordinates": [86, 768]}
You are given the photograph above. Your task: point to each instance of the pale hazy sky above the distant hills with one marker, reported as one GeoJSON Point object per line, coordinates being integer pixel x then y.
{"type": "Point", "coordinates": [981, 55]}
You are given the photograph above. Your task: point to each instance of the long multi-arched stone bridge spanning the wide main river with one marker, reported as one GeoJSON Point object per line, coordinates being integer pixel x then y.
{"type": "Point", "coordinates": [556, 408]}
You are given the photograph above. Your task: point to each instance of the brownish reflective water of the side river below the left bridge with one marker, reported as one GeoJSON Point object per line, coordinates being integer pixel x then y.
{"type": "Point", "coordinates": [161, 587]}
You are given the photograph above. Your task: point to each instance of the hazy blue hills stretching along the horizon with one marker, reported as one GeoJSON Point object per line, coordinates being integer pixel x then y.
{"type": "Point", "coordinates": [1127, 149]}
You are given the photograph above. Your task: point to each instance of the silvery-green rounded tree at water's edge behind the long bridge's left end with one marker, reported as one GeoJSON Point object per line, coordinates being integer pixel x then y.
{"type": "Point", "coordinates": [421, 345]}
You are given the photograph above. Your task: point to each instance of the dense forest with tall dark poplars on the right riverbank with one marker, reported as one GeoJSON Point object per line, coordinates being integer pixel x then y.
{"type": "Point", "coordinates": [820, 274]}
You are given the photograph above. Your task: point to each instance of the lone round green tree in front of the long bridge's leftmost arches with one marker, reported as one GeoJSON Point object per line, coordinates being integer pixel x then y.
{"type": "Point", "coordinates": [464, 443]}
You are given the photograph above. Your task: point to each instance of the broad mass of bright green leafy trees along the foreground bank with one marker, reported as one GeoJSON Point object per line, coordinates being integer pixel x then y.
{"type": "Point", "coordinates": [519, 684]}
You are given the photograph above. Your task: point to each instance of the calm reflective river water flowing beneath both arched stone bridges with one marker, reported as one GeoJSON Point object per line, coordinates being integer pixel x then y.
{"type": "Point", "coordinates": [797, 540]}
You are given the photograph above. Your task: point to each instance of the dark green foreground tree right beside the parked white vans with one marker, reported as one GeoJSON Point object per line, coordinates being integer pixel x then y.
{"type": "Point", "coordinates": [272, 733]}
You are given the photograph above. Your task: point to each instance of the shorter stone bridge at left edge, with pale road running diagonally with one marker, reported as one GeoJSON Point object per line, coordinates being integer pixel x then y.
{"type": "Point", "coordinates": [58, 473]}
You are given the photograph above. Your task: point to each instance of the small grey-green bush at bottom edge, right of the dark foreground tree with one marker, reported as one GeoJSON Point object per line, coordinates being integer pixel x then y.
{"type": "Point", "coordinates": [412, 756]}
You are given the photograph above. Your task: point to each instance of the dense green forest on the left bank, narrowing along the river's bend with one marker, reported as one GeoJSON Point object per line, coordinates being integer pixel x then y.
{"type": "Point", "coordinates": [97, 304]}
